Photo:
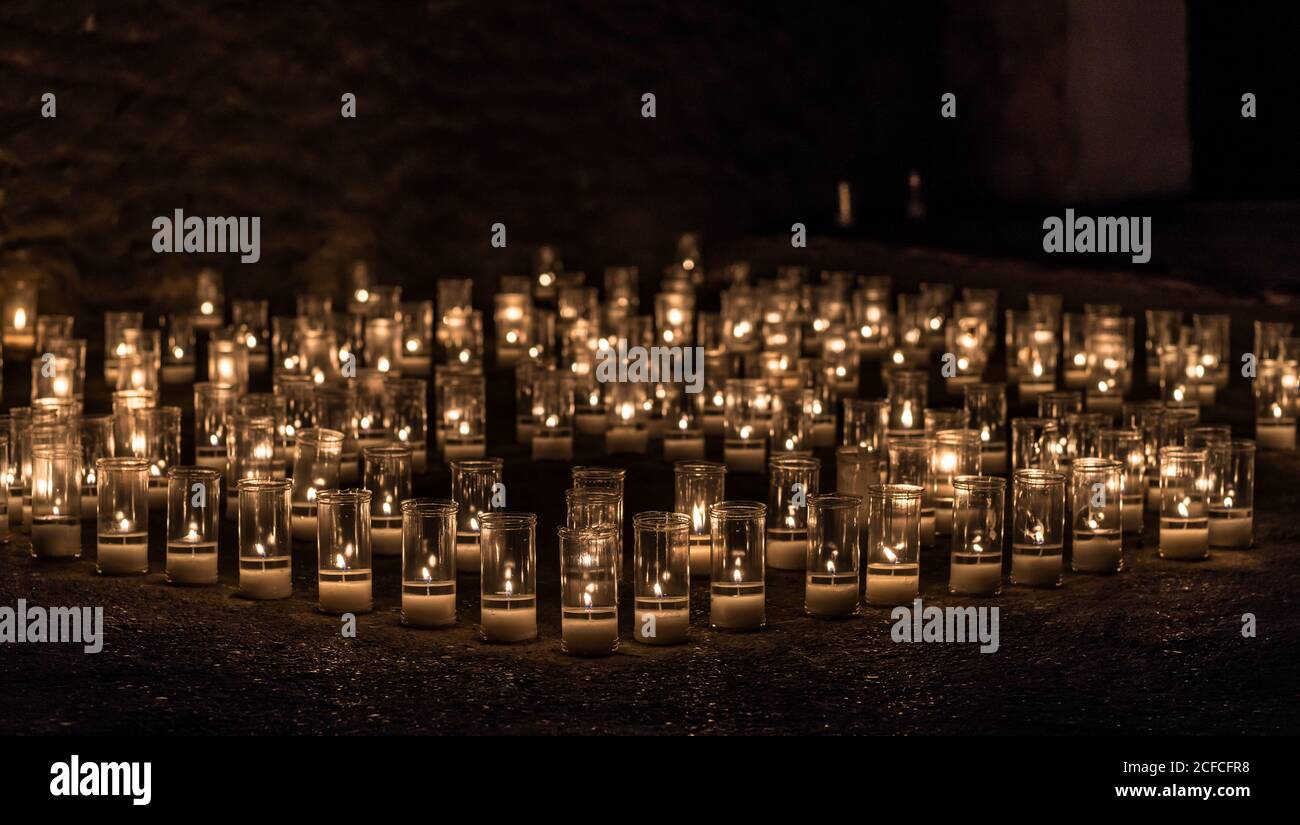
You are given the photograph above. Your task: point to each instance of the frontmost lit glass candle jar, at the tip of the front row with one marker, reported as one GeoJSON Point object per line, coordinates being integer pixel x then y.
{"type": "Point", "coordinates": [590, 592]}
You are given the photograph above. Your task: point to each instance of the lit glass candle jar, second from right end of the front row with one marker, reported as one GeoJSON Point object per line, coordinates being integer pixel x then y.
{"type": "Point", "coordinates": [1185, 485]}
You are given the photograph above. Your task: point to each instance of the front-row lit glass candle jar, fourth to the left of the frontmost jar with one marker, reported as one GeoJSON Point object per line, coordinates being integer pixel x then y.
{"type": "Point", "coordinates": [266, 539]}
